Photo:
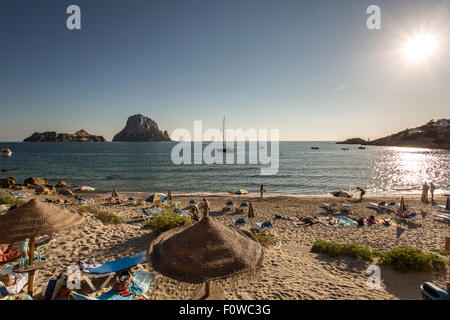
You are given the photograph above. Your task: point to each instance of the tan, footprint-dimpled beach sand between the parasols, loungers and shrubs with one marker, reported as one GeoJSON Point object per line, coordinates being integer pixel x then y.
{"type": "Point", "coordinates": [290, 270]}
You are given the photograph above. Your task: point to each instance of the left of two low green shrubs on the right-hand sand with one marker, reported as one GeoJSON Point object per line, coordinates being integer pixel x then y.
{"type": "Point", "coordinates": [335, 249]}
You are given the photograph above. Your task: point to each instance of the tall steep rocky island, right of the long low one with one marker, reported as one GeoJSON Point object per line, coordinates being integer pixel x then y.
{"type": "Point", "coordinates": [139, 129]}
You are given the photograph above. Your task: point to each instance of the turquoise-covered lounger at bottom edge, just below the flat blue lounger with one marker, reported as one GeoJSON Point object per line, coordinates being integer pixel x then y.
{"type": "Point", "coordinates": [139, 285]}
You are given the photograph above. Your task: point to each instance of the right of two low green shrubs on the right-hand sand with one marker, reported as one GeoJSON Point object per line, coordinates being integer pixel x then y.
{"type": "Point", "coordinates": [408, 259]}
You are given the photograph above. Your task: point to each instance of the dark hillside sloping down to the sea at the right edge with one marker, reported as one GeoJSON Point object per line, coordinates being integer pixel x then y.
{"type": "Point", "coordinates": [435, 134]}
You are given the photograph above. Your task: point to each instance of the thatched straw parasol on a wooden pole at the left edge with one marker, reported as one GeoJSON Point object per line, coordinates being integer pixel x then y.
{"type": "Point", "coordinates": [33, 219]}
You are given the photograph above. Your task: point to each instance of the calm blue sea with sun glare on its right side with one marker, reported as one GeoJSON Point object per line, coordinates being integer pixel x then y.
{"type": "Point", "coordinates": [148, 167]}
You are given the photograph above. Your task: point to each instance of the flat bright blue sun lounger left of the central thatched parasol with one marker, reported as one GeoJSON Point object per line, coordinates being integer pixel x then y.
{"type": "Point", "coordinates": [111, 268]}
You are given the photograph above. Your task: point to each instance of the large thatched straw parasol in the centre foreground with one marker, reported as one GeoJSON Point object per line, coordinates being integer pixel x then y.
{"type": "Point", "coordinates": [205, 251]}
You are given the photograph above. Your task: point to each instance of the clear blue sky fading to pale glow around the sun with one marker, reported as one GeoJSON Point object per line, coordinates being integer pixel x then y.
{"type": "Point", "coordinates": [311, 69]}
